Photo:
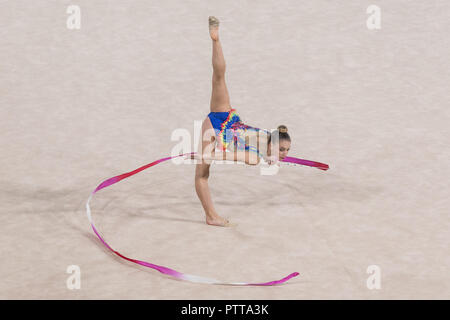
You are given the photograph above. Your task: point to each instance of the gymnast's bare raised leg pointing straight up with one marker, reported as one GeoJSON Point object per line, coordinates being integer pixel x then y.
{"type": "Point", "coordinates": [220, 99]}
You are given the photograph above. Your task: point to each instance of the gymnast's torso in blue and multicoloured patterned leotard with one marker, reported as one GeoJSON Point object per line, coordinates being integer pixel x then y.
{"type": "Point", "coordinates": [233, 134]}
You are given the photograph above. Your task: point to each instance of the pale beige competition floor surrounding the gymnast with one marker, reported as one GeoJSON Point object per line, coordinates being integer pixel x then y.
{"type": "Point", "coordinates": [80, 106]}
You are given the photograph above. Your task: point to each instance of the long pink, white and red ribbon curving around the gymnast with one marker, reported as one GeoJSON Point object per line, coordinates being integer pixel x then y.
{"type": "Point", "coordinates": [171, 272]}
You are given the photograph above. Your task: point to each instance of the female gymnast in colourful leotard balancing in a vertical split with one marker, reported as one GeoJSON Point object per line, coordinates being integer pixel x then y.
{"type": "Point", "coordinates": [224, 129]}
